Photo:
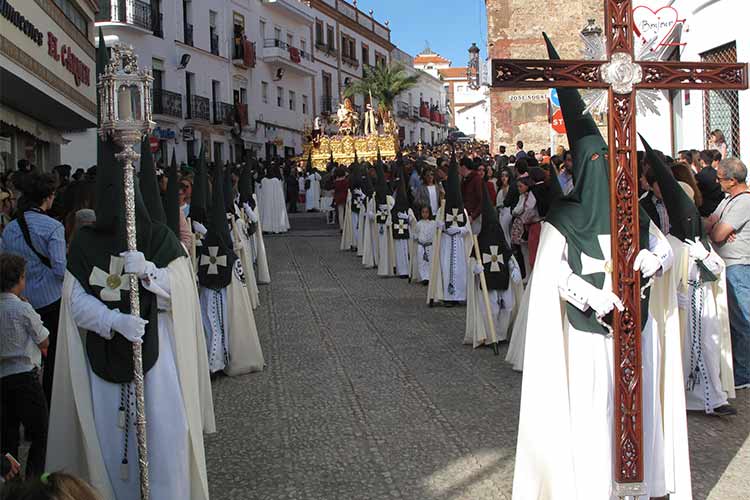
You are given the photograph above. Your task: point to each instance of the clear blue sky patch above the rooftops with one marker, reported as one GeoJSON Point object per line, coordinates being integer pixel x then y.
{"type": "Point", "coordinates": [449, 26]}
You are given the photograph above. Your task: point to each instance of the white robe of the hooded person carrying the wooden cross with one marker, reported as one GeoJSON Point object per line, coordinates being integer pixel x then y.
{"type": "Point", "coordinates": [565, 432]}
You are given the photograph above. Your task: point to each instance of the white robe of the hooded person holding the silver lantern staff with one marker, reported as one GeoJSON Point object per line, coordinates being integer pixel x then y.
{"type": "Point", "coordinates": [84, 437]}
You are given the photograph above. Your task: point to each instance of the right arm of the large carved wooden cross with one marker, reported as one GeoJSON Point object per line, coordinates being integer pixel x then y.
{"type": "Point", "coordinates": [693, 75]}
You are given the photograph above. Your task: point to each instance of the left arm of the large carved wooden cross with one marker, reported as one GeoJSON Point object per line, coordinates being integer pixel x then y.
{"type": "Point", "coordinates": [537, 74]}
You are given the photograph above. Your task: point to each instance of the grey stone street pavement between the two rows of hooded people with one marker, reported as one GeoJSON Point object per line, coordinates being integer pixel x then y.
{"type": "Point", "coordinates": [369, 394]}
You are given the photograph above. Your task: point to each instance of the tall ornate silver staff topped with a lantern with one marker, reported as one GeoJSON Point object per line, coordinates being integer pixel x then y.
{"type": "Point", "coordinates": [125, 116]}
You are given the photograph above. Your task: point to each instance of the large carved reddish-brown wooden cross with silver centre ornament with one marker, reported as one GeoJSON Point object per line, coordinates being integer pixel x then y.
{"type": "Point", "coordinates": [621, 76]}
